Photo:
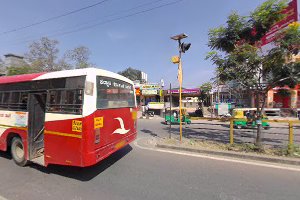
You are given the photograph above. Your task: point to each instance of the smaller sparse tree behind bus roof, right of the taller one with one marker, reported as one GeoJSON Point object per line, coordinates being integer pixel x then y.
{"type": "Point", "coordinates": [79, 57]}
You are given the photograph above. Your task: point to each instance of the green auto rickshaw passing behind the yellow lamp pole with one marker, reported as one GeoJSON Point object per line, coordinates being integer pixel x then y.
{"type": "Point", "coordinates": [173, 117]}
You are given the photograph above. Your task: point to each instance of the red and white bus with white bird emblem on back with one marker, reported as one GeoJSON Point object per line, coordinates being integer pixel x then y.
{"type": "Point", "coordinates": [73, 117]}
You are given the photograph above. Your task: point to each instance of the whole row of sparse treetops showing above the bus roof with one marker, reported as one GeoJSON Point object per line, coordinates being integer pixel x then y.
{"type": "Point", "coordinates": [43, 56]}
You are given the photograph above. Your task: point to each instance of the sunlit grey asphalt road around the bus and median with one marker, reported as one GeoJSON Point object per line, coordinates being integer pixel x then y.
{"type": "Point", "coordinates": [136, 174]}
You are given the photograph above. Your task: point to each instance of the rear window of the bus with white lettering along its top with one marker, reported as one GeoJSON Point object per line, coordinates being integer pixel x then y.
{"type": "Point", "coordinates": [114, 93]}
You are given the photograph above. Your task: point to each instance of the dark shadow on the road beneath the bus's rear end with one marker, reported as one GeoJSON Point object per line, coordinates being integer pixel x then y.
{"type": "Point", "coordinates": [87, 173]}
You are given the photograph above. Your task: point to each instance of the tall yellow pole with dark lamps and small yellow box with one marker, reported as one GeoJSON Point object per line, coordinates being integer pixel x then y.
{"type": "Point", "coordinates": [182, 47]}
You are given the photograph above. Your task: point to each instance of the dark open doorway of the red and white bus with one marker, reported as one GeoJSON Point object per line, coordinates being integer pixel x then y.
{"type": "Point", "coordinates": [36, 122]}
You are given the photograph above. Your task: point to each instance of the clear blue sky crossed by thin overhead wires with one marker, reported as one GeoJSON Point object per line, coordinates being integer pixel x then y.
{"type": "Point", "coordinates": [141, 41]}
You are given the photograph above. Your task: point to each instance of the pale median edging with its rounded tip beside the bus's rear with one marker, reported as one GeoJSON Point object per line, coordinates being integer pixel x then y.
{"type": "Point", "coordinates": [153, 142]}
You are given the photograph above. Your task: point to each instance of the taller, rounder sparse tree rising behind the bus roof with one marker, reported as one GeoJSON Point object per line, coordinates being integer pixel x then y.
{"type": "Point", "coordinates": [43, 54]}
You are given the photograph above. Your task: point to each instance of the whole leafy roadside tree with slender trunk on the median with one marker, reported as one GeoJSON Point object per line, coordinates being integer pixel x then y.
{"type": "Point", "coordinates": [238, 57]}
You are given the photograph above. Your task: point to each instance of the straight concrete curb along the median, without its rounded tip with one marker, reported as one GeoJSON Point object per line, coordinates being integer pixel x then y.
{"type": "Point", "coordinates": [231, 154]}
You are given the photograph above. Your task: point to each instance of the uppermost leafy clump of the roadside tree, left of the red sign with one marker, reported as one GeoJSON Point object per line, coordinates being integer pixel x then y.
{"type": "Point", "coordinates": [242, 29]}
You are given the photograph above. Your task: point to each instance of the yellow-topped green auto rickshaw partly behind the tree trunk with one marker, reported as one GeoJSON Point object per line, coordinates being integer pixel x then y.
{"type": "Point", "coordinates": [245, 117]}
